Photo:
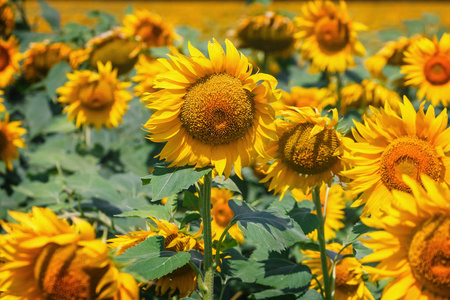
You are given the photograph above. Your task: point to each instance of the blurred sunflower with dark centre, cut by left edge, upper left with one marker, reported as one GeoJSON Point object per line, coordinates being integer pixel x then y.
{"type": "Point", "coordinates": [9, 61]}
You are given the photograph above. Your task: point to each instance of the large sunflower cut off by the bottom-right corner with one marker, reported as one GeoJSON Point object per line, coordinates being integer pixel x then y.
{"type": "Point", "coordinates": [413, 245]}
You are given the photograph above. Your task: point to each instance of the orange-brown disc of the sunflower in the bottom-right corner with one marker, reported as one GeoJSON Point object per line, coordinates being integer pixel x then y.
{"type": "Point", "coordinates": [429, 255]}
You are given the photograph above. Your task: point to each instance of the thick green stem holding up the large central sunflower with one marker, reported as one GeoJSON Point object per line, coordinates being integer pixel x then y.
{"type": "Point", "coordinates": [205, 211]}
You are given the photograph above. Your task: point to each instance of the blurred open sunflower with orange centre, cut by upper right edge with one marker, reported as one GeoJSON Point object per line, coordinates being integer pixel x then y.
{"type": "Point", "coordinates": [427, 66]}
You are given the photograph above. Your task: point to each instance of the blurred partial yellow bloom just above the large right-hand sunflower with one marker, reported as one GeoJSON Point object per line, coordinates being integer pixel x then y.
{"type": "Point", "coordinates": [367, 93]}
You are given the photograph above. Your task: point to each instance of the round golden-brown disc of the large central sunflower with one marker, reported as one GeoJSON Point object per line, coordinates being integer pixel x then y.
{"type": "Point", "coordinates": [217, 110]}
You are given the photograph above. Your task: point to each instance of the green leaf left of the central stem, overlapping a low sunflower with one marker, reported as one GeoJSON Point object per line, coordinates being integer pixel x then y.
{"type": "Point", "coordinates": [150, 260]}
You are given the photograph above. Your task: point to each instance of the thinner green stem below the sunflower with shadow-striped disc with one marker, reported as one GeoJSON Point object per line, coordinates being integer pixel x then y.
{"type": "Point", "coordinates": [321, 238]}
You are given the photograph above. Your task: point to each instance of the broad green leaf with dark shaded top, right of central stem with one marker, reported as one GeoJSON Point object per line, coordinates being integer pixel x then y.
{"type": "Point", "coordinates": [267, 228]}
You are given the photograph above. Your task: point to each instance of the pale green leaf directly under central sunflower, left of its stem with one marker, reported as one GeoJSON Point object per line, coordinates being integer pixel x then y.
{"type": "Point", "coordinates": [169, 181]}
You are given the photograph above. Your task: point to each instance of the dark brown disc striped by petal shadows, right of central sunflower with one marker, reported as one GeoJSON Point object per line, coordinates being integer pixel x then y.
{"type": "Point", "coordinates": [308, 155]}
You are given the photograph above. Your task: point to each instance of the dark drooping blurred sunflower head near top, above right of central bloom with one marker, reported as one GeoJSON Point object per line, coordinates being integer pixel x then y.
{"type": "Point", "coordinates": [271, 32]}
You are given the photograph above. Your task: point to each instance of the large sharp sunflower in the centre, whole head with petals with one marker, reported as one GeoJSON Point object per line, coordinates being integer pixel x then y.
{"type": "Point", "coordinates": [212, 111]}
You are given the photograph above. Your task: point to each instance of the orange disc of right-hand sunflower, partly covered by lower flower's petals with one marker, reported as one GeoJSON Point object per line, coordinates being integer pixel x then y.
{"type": "Point", "coordinates": [408, 156]}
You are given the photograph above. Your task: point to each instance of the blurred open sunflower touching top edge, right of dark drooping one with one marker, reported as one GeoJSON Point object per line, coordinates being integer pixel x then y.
{"type": "Point", "coordinates": [328, 36]}
